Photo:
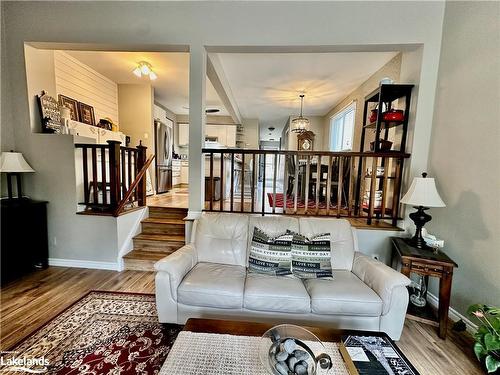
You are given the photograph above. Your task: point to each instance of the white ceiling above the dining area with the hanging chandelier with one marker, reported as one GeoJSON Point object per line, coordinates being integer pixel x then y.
{"type": "Point", "coordinates": [267, 85]}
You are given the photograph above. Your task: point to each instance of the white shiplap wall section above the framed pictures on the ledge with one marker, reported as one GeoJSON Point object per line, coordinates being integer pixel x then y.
{"type": "Point", "coordinates": [82, 83]}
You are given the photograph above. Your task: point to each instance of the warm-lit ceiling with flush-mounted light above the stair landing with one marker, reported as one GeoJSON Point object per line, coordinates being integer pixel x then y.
{"type": "Point", "coordinates": [171, 87]}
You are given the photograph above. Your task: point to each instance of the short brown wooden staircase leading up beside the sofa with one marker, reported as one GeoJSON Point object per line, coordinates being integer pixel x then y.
{"type": "Point", "coordinates": [162, 234]}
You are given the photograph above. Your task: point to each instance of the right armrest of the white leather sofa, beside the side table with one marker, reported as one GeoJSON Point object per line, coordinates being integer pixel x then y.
{"type": "Point", "coordinates": [379, 277]}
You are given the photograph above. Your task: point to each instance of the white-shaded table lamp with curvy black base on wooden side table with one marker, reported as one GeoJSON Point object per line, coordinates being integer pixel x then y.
{"type": "Point", "coordinates": [422, 194]}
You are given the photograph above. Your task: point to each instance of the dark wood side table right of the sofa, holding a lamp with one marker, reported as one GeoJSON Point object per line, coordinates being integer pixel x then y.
{"type": "Point", "coordinates": [426, 263]}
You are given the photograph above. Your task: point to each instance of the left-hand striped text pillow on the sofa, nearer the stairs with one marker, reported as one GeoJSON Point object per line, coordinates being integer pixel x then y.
{"type": "Point", "coordinates": [270, 255]}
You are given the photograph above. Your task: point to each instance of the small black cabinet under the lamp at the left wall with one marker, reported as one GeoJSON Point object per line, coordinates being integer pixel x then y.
{"type": "Point", "coordinates": [24, 237]}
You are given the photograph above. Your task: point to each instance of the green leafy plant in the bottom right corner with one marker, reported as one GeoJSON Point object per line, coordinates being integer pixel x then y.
{"type": "Point", "coordinates": [487, 345]}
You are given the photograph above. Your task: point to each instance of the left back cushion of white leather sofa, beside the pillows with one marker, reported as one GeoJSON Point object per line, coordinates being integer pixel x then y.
{"type": "Point", "coordinates": [222, 238]}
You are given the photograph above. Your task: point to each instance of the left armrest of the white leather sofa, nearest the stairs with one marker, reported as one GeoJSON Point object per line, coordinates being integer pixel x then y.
{"type": "Point", "coordinates": [177, 265]}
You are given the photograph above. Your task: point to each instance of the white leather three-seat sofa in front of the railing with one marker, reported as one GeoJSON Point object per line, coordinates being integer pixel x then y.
{"type": "Point", "coordinates": [208, 279]}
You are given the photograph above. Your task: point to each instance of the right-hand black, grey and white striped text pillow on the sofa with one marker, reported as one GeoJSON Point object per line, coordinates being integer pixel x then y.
{"type": "Point", "coordinates": [311, 256]}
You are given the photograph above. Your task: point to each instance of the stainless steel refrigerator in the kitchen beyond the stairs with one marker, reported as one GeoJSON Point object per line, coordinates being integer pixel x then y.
{"type": "Point", "coordinates": [163, 159]}
